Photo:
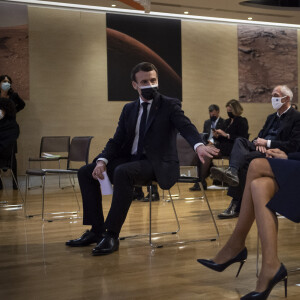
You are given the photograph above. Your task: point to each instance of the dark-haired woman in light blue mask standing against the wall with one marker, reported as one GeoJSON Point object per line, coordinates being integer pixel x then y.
{"type": "Point", "coordinates": [6, 92]}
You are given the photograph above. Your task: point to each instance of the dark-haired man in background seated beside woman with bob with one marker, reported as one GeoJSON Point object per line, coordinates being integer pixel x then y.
{"type": "Point", "coordinates": [214, 122]}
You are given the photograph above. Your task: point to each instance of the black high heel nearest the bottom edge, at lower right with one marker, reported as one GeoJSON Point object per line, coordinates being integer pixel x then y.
{"type": "Point", "coordinates": [281, 275]}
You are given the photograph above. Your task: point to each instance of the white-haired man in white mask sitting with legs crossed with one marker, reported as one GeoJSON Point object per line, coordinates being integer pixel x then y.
{"type": "Point", "coordinates": [281, 130]}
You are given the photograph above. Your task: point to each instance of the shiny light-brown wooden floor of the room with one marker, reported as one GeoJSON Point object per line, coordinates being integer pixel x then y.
{"type": "Point", "coordinates": [36, 264]}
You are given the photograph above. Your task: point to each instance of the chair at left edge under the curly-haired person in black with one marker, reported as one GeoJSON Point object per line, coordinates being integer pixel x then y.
{"type": "Point", "coordinates": [6, 164]}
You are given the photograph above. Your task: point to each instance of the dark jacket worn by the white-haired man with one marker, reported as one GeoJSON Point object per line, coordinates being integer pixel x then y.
{"type": "Point", "coordinates": [288, 136]}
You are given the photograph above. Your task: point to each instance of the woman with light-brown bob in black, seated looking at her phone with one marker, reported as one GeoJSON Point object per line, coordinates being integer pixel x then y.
{"type": "Point", "coordinates": [233, 127]}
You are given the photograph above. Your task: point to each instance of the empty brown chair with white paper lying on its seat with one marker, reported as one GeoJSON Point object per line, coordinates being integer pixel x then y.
{"type": "Point", "coordinates": [54, 149]}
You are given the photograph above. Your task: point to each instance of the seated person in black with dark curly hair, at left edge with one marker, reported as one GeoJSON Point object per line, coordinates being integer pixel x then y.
{"type": "Point", "coordinates": [9, 130]}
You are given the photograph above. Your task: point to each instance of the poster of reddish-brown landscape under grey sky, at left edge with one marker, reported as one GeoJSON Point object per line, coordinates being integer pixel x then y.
{"type": "Point", "coordinates": [14, 53]}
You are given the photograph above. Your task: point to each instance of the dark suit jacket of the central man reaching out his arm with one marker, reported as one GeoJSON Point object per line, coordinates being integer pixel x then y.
{"type": "Point", "coordinates": [165, 118]}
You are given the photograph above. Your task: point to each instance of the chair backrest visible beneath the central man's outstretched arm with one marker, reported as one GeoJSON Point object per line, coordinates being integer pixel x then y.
{"type": "Point", "coordinates": [186, 154]}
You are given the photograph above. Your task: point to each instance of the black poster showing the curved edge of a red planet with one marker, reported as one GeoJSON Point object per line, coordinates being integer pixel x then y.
{"type": "Point", "coordinates": [134, 39]}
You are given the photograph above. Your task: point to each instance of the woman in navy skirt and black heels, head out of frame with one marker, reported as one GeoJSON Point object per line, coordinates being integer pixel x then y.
{"type": "Point", "coordinates": [272, 186]}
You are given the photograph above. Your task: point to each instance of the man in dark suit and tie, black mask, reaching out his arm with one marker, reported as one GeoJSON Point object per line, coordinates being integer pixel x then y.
{"type": "Point", "coordinates": [143, 149]}
